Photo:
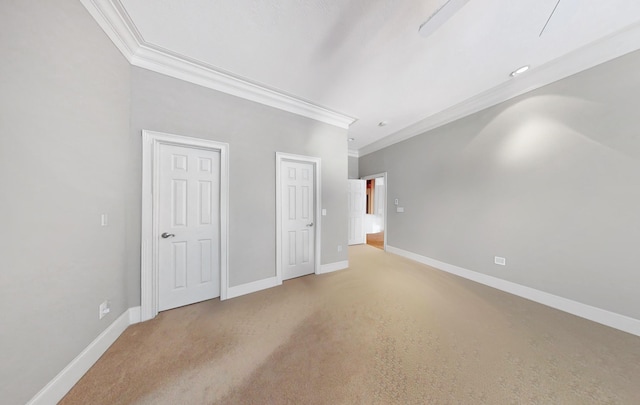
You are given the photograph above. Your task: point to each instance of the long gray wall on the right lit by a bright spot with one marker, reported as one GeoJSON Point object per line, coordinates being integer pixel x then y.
{"type": "Point", "coordinates": [549, 180]}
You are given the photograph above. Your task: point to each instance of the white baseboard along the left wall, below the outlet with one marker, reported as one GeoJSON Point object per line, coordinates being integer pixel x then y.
{"type": "Point", "coordinates": [57, 388]}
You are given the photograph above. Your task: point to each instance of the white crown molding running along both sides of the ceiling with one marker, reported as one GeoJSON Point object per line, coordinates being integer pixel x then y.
{"type": "Point", "coordinates": [116, 23]}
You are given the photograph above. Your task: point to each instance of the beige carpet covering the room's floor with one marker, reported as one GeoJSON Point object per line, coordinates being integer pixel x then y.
{"type": "Point", "coordinates": [385, 331]}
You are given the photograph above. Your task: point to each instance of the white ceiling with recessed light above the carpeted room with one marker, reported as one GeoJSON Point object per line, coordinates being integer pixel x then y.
{"type": "Point", "coordinates": [365, 58]}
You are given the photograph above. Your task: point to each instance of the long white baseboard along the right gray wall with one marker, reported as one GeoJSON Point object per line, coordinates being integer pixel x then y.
{"type": "Point", "coordinates": [608, 318]}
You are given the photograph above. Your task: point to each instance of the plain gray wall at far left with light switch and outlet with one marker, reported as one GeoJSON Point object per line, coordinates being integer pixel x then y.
{"type": "Point", "coordinates": [64, 124]}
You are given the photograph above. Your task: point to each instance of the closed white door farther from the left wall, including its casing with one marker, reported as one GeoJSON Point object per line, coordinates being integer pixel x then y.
{"type": "Point", "coordinates": [297, 216]}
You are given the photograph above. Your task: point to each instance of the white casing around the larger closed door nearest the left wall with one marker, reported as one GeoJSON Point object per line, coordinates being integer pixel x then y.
{"type": "Point", "coordinates": [149, 268]}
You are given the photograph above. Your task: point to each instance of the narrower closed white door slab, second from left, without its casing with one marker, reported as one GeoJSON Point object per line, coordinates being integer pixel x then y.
{"type": "Point", "coordinates": [297, 185]}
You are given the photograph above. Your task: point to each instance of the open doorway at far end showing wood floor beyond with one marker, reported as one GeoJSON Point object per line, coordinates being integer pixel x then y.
{"type": "Point", "coordinates": [375, 211]}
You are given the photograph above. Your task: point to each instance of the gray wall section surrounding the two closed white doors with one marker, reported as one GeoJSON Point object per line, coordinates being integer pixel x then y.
{"type": "Point", "coordinates": [255, 133]}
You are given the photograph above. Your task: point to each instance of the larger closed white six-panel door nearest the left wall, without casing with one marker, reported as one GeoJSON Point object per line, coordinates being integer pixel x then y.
{"type": "Point", "coordinates": [189, 225]}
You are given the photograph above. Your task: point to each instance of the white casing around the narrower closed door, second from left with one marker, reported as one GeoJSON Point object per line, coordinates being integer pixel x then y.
{"type": "Point", "coordinates": [280, 157]}
